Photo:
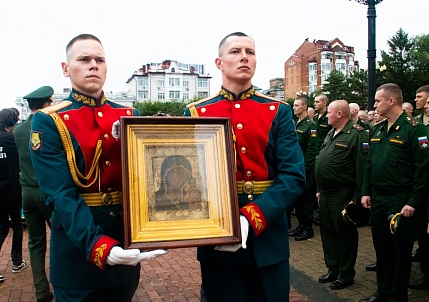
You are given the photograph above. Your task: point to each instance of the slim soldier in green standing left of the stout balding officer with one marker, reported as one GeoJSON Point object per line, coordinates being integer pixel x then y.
{"type": "Point", "coordinates": [307, 135]}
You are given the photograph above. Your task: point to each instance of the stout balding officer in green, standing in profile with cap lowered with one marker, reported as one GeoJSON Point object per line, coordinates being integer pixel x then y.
{"type": "Point", "coordinates": [339, 172]}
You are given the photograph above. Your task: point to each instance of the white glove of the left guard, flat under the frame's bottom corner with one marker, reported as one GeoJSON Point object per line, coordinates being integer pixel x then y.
{"type": "Point", "coordinates": [118, 255]}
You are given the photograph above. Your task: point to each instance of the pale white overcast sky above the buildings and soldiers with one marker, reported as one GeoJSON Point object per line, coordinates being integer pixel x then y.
{"type": "Point", "coordinates": [33, 34]}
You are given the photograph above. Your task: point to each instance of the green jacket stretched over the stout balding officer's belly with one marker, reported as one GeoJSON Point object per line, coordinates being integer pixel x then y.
{"type": "Point", "coordinates": [341, 160]}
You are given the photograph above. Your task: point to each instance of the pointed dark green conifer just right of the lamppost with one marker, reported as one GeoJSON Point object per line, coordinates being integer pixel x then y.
{"type": "Point", "coordinates": [399, 66]}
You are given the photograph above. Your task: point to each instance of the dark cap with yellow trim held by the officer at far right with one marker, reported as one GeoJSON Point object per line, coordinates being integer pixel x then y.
{"type": "Point", "coordinates": [407, 227]}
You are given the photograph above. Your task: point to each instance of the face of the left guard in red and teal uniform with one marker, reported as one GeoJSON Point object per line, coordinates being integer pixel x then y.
{"type": "Point", "coordinates": [86, 67]}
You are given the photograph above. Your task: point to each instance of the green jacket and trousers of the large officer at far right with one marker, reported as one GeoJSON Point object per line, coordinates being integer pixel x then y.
{"type": "Point", "coordinates": [395, 176]}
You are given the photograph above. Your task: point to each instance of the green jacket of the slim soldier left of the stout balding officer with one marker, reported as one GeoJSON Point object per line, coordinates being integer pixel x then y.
{"type": "Point", "coordinates": [307, 135]}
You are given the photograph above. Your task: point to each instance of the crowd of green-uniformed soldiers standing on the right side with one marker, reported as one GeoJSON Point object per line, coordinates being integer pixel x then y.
{"type": "Point", "coordinates": [352, 157]}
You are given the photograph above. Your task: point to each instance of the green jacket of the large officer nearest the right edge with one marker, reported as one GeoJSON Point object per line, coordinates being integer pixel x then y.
{"type": "Point", "coordinates": [398, 160]}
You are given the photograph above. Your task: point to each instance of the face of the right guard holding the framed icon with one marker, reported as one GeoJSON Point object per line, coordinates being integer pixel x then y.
{"type": "Point", "coordinates": [237, 60]}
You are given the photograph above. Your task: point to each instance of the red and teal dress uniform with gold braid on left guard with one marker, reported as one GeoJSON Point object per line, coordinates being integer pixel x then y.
{"type": "Point", "coordinates": [78, 166]}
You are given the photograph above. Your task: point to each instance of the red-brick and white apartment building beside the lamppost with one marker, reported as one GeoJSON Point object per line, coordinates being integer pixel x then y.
{"type": "Point", "coordinates": [309, 67]}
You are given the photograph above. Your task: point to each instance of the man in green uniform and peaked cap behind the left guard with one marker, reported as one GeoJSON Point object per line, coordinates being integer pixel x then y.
{"type": "Point", "coordinates": [36, 212]}
